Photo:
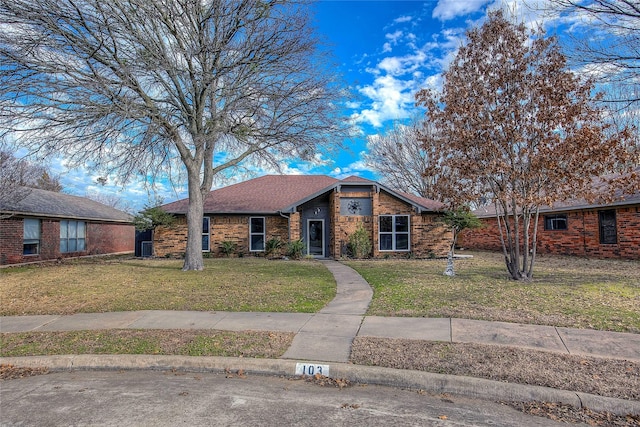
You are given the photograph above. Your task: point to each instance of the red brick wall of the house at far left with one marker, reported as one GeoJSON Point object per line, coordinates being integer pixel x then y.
{"type": "Point", "coordinates": [100, 239]}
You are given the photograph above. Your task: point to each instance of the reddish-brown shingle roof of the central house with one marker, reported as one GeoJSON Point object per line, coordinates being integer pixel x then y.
{"type": "Point", "coordinates": [278, 193]}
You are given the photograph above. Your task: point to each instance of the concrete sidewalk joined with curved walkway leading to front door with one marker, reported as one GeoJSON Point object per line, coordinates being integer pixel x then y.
{"type": "Point", "coordinates": [326, 336]}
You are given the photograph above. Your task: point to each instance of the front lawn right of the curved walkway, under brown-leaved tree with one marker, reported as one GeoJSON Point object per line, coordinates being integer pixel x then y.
{"type": "Point", "coordinates": [565, 291]}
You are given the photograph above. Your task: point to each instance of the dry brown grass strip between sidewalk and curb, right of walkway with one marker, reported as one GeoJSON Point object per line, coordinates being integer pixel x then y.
{"type": "Point", "coordinates": [604, 377]}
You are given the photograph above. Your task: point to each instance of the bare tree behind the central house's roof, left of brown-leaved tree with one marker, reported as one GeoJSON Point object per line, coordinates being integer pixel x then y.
{"type": "Point", "coordinates": [406, 158]}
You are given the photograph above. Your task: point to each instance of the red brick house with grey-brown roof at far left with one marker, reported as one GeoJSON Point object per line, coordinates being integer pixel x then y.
{"type": "Point", "coordinates": [46, 225]}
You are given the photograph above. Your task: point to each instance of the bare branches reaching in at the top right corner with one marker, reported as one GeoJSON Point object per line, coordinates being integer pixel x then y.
{"type": "Point", "coordinates": [611, 51]}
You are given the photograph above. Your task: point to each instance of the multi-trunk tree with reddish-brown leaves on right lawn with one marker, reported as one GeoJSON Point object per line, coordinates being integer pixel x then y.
{"type": "Point", "coordinates": [517, 124]}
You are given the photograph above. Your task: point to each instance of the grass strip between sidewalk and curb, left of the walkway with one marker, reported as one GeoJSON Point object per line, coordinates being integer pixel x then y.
{"type": "Point", "coordinates": [135, 341]}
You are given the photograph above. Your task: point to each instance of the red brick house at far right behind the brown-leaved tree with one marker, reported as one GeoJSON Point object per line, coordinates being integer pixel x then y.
{"type": "Point", "coordinates": [573, 228]}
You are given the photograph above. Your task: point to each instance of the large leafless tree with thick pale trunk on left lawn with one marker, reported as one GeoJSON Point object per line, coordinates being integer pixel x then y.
{"type": "Point", "coordinates": [140, 87]}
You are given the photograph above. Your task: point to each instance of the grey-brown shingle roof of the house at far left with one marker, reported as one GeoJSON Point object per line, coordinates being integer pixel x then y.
{"type": "Point", "coordinates": [58, 205]}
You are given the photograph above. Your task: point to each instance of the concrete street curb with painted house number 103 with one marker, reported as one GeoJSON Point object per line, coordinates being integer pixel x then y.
{"type": "Point", "coordinates": [429, 382]}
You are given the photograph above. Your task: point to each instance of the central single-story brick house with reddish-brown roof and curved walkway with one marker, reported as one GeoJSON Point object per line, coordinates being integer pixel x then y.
{"type": "Point", "coordinates": [320, 210]}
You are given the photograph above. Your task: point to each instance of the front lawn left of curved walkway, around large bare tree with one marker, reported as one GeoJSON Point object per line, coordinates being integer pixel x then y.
{"type": "Point", "coordinates": [103, 285]}
